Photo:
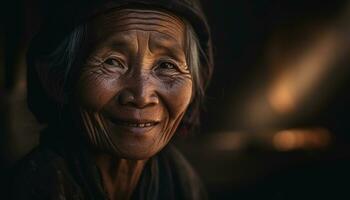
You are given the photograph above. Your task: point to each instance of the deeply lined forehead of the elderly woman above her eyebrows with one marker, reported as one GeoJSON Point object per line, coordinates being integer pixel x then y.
{"type": "Point", "coordinates": [164, 27]}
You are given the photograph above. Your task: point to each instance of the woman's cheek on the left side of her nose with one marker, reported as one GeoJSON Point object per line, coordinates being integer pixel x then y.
{"type": "Point", "coordinates": [94, 93]}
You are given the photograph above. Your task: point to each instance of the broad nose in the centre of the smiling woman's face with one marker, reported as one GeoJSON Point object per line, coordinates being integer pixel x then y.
{"type": "Point", "coordinates": [139, 92]}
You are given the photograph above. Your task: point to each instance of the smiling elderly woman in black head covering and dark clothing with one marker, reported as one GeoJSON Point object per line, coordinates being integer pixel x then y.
{"type": "Point", "coordinates": [114, 81]}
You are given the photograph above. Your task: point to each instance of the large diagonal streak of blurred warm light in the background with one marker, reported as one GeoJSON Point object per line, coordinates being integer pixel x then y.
{"type": "Point", "coordinates": [301, 75]}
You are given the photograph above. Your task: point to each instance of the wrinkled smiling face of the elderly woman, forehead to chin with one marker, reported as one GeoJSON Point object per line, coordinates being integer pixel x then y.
{"type": "Point", "coordinates": [134, 86]}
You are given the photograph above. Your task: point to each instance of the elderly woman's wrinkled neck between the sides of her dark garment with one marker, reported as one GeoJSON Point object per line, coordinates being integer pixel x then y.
{"type": "Point", "coordinates": [119, 176]}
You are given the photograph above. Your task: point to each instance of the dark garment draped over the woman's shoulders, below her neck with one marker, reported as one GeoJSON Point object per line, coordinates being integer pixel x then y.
{"type": "Point", "coordinates": [69, 174]}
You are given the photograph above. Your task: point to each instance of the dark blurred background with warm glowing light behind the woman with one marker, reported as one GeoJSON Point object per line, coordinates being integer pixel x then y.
{"type": "Point", "coordinates": [275, 124]}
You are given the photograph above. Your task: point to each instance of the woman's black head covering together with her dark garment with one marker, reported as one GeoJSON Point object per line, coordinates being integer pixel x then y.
{"type": "Point", "coordinates": [54, 172]}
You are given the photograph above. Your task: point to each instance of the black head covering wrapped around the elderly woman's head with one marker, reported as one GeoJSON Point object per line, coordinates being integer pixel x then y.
{"type": "Point", "coordinates": [61, 17]}
